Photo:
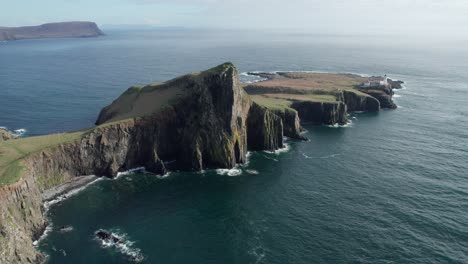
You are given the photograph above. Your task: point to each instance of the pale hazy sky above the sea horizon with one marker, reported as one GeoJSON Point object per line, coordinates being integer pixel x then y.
{"type": "Point", "coordinates": [428, 17]}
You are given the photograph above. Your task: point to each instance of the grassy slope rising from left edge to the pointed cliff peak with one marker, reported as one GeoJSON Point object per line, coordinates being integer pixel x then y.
{"type": "Point", "coordinates": [135, 102]}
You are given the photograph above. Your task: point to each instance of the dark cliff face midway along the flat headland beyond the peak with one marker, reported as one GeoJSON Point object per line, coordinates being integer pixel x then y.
{"type": "Point", "coordinates": [318, 113]}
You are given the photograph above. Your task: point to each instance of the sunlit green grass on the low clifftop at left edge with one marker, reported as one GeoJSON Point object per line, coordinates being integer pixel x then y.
{"type": "Point", "coordinates": [13, 153]}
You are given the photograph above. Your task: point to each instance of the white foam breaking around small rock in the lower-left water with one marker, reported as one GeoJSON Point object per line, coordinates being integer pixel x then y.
{"type": "Point", "coordinates": [124, 245]}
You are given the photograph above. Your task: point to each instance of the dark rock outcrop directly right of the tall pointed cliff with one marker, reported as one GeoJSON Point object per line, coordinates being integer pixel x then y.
{"type": "Point", "coordinates": [264, 129]}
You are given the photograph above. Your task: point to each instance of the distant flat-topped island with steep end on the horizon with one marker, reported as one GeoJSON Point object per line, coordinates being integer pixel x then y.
{"type": "Point", "coordinates": [76, 29]}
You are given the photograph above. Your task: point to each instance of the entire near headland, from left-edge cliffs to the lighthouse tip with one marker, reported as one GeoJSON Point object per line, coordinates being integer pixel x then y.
{"type": "Point", "coordinates": [202, 120]}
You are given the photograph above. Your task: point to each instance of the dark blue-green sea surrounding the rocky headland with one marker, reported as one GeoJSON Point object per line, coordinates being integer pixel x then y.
{"type": "Point", "coordinates": [389, 188]}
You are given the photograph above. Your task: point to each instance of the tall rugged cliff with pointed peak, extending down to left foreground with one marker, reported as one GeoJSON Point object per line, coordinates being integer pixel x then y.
{"type": "Point", "coordinates": [209, 123]}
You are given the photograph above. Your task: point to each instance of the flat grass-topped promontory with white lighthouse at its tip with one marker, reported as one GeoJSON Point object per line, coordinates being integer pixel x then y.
{"type": "Point", "coordinates": [320, 98]}
